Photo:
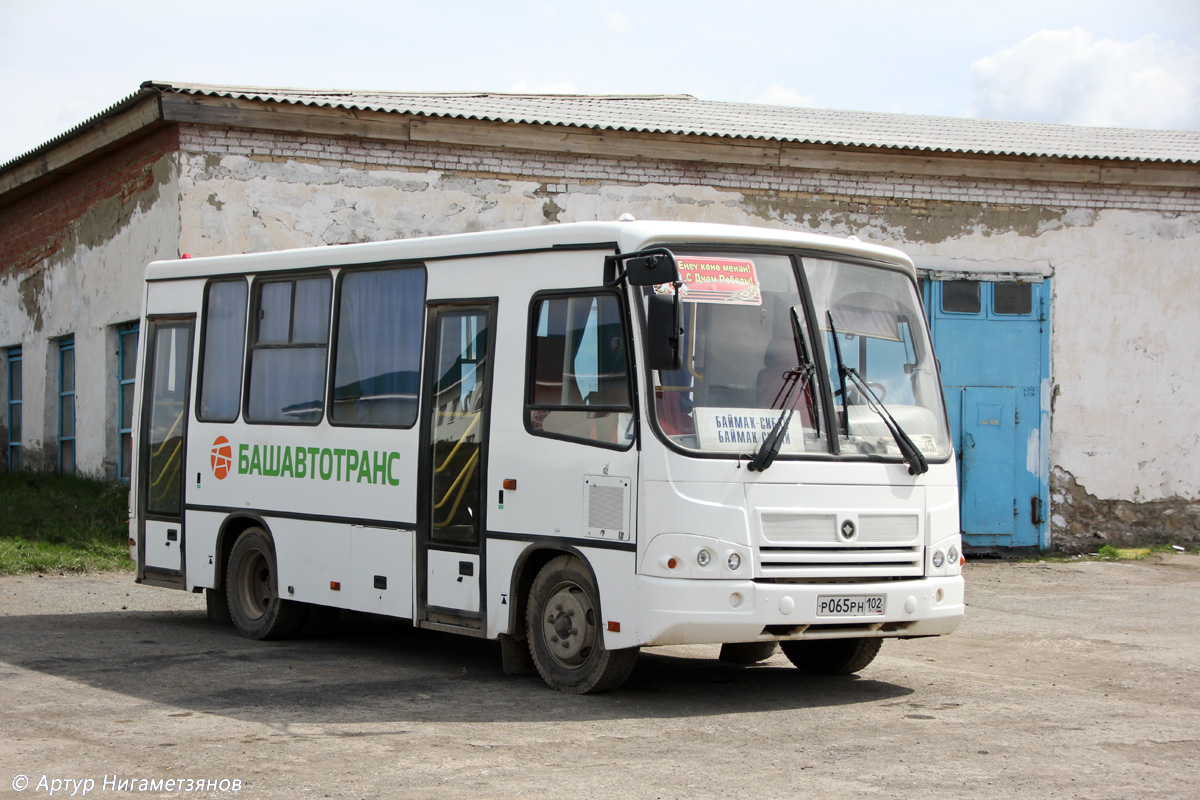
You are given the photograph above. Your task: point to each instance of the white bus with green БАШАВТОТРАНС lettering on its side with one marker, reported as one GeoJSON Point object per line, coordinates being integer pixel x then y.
{"type": "Point", "coordinates": [579, 440]}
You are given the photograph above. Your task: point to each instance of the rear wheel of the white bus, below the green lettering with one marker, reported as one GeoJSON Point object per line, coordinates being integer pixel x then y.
{"type": "Point", "coordinates": [251, 586]}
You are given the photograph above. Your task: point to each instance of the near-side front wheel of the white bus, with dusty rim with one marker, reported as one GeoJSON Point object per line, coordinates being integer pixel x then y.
{"type": "Point", "coordinates": [563, 631]}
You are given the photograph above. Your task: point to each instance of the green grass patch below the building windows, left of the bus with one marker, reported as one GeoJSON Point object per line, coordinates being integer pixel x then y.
{"type": "Point", "coordinates": [62, 524]}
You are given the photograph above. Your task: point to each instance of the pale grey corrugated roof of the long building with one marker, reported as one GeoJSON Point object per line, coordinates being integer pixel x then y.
{"type": "Point", "coordinates": [689, 116]}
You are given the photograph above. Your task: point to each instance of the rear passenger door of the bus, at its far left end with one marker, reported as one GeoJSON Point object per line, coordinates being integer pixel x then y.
{"type": "Point", "coordinates": [164, 443]}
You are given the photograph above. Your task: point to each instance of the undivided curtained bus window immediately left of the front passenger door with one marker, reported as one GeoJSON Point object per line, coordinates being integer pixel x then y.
{"type": "Point", "coordinates": [377, 353]}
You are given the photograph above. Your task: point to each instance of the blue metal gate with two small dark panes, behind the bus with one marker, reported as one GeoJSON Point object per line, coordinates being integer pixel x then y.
{"type": "Point", "coordinates": [993, 342]}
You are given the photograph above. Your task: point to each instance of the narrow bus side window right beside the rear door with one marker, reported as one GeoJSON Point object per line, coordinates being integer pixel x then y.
{"type": "Point", "coordinates": [221, 357]}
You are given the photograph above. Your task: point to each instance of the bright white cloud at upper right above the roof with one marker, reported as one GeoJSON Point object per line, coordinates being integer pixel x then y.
{"type": "Point", "coordinates": [1069, 76]}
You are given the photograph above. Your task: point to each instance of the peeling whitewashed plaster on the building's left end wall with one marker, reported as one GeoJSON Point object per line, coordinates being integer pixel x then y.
{"type": "Point", "coordinates": [92, 284]}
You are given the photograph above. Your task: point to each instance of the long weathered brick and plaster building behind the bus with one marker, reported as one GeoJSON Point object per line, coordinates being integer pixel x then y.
{"type": "Point", "coordinates": [1060, 263]}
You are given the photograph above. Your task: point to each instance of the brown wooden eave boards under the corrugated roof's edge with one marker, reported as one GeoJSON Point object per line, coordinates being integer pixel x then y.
{"type": "Point", "coordinates": [157, 104]}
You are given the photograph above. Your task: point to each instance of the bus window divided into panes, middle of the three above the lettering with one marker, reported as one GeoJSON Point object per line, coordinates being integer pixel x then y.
{"type": "Point", "coordinates": [287, 352]}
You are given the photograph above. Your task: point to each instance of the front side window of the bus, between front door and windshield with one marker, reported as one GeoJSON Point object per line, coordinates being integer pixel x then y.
{"type": "Point", "coordinates": [579, 370]}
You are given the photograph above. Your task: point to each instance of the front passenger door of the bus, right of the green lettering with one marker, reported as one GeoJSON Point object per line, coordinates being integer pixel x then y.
{"type": "Point", "coordinates": [454, 438]}
